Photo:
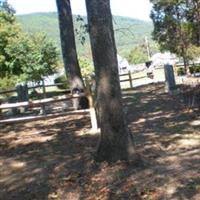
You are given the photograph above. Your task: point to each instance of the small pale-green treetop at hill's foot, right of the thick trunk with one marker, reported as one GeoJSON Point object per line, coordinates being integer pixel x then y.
{"type": "Point", "coordinates": [137, 55]}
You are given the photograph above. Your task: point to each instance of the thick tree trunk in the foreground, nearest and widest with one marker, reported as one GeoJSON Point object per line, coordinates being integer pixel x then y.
{"type": "Point", "coordinates": [115, 143]}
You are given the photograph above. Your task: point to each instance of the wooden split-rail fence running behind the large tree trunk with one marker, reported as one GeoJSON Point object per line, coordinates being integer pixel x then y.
{"type": "Point", "coordinates": [45, 101]}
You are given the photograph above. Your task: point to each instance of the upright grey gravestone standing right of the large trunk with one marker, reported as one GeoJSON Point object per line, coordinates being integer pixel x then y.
{"type": "Point", "coordinates": [170, 83]}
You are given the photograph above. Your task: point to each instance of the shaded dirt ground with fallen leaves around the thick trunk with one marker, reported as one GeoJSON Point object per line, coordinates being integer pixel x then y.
{"type": "Point", "coordinates": [53, 159]}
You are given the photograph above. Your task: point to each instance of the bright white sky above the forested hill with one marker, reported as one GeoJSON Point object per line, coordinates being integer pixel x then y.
{"type": "Point", "coordinates": [139, 9]}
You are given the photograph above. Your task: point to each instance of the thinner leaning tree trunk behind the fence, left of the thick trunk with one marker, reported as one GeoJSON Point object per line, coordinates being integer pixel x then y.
{"type": "Point", "coordinates": [68, 44]}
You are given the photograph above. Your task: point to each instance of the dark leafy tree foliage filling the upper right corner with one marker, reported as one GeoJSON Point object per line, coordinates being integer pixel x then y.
{"type": "Point", "coordinates": [176, 27]}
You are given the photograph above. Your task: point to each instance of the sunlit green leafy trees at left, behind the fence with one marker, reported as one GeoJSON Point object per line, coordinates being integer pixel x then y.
{"type": "Point", "coordinates": [31, 57]}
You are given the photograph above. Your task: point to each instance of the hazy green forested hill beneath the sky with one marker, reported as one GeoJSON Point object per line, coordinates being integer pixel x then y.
{"type": "Point", "coordinates": [128, 32]}
